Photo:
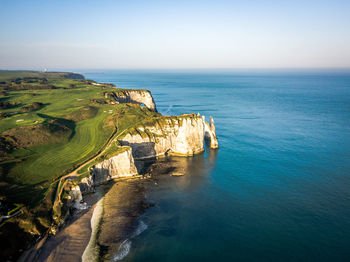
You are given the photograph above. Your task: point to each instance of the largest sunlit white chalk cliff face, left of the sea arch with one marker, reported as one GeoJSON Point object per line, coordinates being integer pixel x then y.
{"type": "Point", "coordinates": [182, 135]}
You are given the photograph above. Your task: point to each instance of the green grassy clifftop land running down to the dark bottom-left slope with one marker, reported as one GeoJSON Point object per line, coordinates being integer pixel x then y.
{"type": "Point", "coordinates": [51, 123]}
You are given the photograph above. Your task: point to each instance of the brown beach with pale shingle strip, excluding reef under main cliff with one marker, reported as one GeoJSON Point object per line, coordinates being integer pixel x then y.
{"type": "Point", "coordinates": [80, 238]}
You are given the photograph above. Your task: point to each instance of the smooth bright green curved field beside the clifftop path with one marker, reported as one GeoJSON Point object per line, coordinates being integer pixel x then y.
{"type": "Point", "coordinates": [53, 160]}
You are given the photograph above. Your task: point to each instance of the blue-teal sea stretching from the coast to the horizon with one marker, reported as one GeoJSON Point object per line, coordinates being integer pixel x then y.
{"type": "Point", "coordinates": [278, 189]}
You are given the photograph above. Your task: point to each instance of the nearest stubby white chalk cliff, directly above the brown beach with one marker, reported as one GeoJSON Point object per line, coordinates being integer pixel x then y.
{"type": "Point", "coordinates": [120, 165]}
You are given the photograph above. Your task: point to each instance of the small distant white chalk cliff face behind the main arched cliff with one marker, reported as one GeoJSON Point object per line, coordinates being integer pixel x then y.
{"type": "Point", "coordinates": [135, 96]}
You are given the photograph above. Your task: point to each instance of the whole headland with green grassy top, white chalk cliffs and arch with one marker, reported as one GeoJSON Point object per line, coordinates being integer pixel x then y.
{"type": "Point", "coordinates": [62, 136]}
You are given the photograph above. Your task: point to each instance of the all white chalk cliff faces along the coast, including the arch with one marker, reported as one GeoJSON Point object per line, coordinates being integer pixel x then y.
{"type": "Point", "coordinates": [164, 135]}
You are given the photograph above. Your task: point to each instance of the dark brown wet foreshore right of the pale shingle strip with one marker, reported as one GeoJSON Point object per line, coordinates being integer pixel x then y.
{"type": "Point", "coordinates": [122, 205]}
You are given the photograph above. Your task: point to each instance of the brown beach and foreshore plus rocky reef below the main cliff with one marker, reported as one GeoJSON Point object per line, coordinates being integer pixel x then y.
{"type": "Point", "coordinates": [107, 227]}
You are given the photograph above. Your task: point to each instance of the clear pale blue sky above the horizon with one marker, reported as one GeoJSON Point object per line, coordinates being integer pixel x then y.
{"type": "Point", "coordinates": [174, 34]}
